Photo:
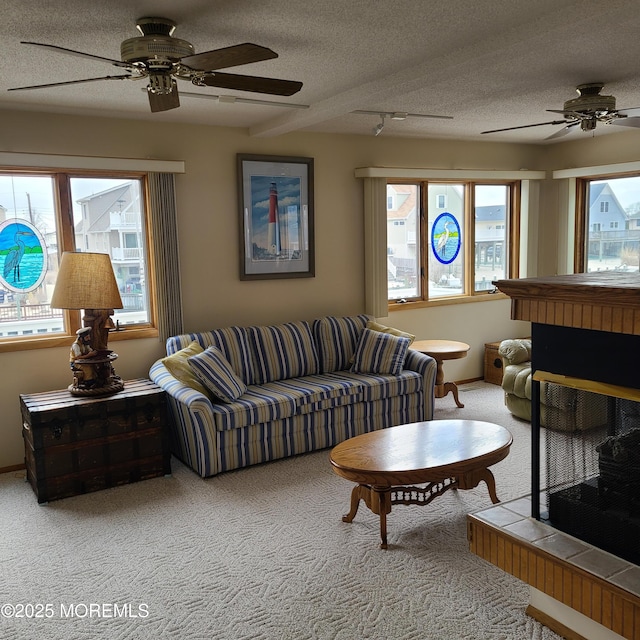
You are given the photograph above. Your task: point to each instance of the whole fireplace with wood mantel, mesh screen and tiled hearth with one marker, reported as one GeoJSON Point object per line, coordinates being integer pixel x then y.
{"type": "Point", "coordinates": [585, 479]}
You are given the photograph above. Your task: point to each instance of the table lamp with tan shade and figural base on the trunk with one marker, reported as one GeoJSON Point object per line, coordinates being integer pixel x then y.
{"type": "Point", "coordinates": [86, 281]}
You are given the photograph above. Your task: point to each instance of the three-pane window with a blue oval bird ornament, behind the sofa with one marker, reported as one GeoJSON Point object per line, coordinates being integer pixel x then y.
{"type": "Point", "coordinates": [448, 252]}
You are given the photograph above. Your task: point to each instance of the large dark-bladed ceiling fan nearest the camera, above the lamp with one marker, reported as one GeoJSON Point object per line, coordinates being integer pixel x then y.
{"type": "Point", "coordinates": [159, 57]}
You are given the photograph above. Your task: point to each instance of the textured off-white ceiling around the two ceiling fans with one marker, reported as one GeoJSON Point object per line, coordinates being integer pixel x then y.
{"type": "Point", "coordinates": [487, 63]}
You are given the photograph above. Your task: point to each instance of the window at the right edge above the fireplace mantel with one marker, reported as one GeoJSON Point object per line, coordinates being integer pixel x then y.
{"type": "Point", "coordinates": [607, 229]}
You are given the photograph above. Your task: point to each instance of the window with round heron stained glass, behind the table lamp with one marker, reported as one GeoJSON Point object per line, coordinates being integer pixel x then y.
{"type": "Point", "coordinates": [44, 214]}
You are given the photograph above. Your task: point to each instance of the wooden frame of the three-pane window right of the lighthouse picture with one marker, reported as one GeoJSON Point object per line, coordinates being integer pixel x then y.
{"type": "Point", "coordinates": [512, 237]}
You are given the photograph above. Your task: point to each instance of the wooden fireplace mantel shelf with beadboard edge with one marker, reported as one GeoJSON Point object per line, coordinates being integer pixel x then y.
{"type": "Point", "coordinates": [603, 301]}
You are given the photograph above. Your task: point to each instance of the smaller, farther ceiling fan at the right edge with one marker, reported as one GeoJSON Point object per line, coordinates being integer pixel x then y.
{"type": "Point", "coordinates": [586, 110]}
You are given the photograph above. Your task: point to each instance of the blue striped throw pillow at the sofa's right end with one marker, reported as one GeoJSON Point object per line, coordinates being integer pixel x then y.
{"type": "Point", "coordinates": [378, 352]}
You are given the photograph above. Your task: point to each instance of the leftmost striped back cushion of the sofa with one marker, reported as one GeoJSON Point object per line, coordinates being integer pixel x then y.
{"type": "Point", "coordinates": [232, 341]}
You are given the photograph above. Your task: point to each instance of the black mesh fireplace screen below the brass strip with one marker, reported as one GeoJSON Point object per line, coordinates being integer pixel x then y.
{"type": "Point", "coordinates": [592, 455]}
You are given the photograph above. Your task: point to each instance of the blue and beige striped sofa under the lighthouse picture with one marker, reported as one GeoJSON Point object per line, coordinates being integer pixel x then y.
{"type": "Point", "coordinates": [300, 387]}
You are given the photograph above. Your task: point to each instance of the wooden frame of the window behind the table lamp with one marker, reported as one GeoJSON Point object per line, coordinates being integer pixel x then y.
{"type": "Point", "coordinates": [61, 179]}
